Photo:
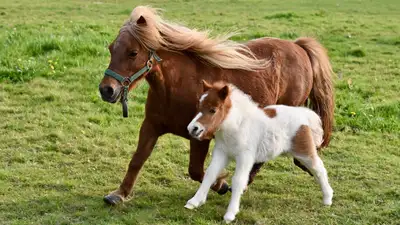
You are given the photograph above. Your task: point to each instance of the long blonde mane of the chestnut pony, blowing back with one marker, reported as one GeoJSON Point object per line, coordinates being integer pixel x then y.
{"type": "Point", "coordinates": [159, 34]}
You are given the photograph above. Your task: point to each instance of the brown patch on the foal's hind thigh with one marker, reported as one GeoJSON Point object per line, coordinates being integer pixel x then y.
{"type": "Point", "coordinates": [303, 143]}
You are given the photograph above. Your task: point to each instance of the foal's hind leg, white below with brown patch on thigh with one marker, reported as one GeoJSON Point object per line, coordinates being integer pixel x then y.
{"type": "Point", "coordinates": [305, 151]}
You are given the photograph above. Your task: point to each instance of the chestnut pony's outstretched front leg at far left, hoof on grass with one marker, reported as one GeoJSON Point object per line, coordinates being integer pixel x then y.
{"type": "Point", "coordinates": [147, 139]}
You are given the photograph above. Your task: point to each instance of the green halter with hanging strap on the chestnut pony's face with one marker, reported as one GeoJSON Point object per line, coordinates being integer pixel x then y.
{"type": "Point", "coordinates": [126, 81]}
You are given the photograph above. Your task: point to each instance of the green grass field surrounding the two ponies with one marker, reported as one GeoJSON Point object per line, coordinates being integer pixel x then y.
{"type": "Point", "coordinates": [62, 148]}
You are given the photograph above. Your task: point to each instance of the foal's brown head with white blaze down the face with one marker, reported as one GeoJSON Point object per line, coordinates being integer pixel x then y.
{"type": "Point", "coordinates": [214, 105]}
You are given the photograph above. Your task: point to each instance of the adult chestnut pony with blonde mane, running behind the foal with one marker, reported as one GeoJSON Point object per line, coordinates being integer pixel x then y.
{"type": "Point", "coordinates": [174, 60]}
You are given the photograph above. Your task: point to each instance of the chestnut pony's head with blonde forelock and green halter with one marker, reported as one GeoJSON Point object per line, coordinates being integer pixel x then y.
{"type": "Point", "coordinates": [130, 54]}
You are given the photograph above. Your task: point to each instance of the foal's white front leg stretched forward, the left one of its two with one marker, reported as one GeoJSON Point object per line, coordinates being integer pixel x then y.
{"type": "Point", "coordinates": [218, 163]}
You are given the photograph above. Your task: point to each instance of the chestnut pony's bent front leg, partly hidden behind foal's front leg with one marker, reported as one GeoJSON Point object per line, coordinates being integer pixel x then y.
{"type": "Point", "coordinates": [198, 154]}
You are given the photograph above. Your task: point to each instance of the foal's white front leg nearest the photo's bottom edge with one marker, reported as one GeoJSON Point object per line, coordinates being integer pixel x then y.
{"type": "Point", "coordinates": [244, 163]}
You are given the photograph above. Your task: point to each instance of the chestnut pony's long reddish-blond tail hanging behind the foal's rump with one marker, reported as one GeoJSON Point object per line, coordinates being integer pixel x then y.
{"type": "Point", "coordinates": [321, 96]}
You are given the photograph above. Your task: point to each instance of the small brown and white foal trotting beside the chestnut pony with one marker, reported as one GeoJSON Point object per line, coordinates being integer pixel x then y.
{"type": "Point", "coordinates": [250, 135]}
